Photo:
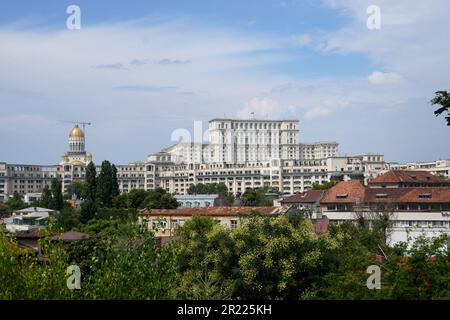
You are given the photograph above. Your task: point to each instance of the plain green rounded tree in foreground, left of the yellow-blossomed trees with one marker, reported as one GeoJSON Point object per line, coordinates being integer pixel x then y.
{"type": "Point", "coordinates": [132, 267]}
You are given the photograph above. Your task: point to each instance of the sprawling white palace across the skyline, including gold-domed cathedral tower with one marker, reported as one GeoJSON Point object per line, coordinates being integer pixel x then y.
{"type": "Point", "coordinates": [241, 154]}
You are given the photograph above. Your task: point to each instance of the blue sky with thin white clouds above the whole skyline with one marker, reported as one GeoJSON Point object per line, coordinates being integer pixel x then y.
{"type": "Point", "coordinates": [138, 70]}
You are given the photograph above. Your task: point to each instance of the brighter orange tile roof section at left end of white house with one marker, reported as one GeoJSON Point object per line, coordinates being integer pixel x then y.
{"type": "Point", "coordinates": [345, 192]}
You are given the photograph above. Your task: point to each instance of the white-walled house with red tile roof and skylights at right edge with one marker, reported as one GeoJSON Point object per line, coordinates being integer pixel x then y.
{"type": "Point", "coordinates": [412, 211]}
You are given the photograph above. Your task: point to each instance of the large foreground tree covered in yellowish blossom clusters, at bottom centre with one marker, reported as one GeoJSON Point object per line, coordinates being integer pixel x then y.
{"type": "Point", "coordinates": [278, 260]}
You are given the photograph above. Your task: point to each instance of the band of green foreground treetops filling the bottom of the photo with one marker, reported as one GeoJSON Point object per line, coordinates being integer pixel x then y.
{"type": "Point", "coordinates": [264, 258]}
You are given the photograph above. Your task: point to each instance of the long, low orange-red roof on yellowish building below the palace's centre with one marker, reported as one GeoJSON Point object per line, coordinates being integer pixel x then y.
{"type": "Point", "coordinates": [210, 211]}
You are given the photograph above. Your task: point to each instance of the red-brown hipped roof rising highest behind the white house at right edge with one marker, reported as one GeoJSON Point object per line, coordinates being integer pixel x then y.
{"type": "Point", "coordinates": [408, 176]}
